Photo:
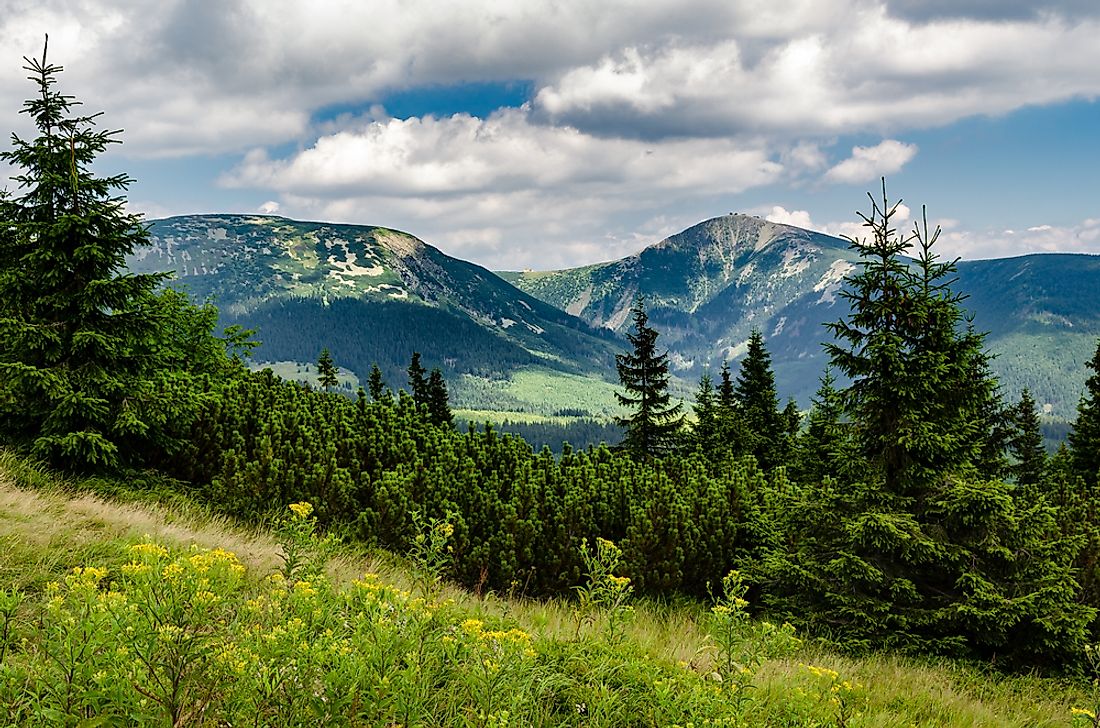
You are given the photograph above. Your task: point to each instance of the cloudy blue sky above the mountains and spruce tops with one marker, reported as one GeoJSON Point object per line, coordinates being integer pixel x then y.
{"type": "Point", "coordinates": [522, 135]}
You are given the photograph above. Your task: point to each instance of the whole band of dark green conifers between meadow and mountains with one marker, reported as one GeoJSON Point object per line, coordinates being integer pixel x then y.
{"type": "Point", "coordinates": [912, 510]}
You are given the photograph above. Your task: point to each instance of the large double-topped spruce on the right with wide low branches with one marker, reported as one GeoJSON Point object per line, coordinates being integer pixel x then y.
{"type": "Point", "coordinates": [920, 549]}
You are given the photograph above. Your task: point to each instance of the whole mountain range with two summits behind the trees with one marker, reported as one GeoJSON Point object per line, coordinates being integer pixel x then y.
{"type": "Point", "coordinates": [544, 343]}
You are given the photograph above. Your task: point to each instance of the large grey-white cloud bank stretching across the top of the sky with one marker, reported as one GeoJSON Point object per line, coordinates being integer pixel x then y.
{"type": "Point", "coordinates": [224, 75]}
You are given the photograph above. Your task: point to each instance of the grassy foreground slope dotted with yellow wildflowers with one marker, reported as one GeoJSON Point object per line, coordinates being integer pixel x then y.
{"type": "Point", "coordinates": [323, 645]}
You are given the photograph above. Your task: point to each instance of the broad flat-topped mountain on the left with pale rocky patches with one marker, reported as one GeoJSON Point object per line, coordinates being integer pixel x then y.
{"type": "Point", "coordinates": [377, 295]}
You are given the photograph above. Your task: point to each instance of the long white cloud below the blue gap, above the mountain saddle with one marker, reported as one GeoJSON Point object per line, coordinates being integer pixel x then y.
{"type": "Point", "coordinates": [503, 189]}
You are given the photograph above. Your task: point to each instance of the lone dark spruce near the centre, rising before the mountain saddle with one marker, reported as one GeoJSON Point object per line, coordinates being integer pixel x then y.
{"type": "Point", "coordinates": [656, 425]}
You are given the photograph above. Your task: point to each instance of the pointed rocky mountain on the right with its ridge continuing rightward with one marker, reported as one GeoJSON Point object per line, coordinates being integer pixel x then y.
{"type": "Point", "coordinates": [709, 286]}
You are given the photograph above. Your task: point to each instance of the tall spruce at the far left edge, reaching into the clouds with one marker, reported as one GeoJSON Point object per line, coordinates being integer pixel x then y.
{"type": "Point", "coordinates": [93, 359]}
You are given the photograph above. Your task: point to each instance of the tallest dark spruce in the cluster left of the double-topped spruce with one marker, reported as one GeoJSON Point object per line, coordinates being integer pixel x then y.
{"type": "Point", "coordinates": [758, 404]}
